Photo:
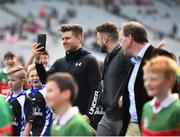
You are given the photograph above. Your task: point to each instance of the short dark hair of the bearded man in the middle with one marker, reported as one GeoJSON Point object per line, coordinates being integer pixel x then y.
{"type": "Point", "coordinates": [109, 28]}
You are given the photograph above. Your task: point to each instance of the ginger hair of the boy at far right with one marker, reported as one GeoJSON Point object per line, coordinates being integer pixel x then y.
{"type": "Point", "coordinates": [165, 65]}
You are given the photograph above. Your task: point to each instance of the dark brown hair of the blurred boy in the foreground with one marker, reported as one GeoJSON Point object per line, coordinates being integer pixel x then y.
{"type": "Point", "coordinates": [65, 81]}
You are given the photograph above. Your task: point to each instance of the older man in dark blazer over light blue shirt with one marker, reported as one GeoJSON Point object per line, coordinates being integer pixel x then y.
{"type": "Point", "coordinates": [134, 42]}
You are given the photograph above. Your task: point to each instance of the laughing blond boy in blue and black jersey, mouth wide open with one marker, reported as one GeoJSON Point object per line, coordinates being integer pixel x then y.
{"type": "Point", "coordinates": [42, 113]}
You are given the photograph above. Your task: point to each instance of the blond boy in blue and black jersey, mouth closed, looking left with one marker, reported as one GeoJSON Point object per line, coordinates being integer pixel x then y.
{"type": "Point", "coordinates": [20, 103]}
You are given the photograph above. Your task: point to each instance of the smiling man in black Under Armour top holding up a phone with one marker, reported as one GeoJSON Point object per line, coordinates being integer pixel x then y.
{"type": "Point", "coordinates": [78, 62]}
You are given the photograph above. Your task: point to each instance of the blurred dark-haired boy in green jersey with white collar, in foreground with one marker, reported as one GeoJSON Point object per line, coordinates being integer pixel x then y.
{"type": "Point", "coordinates": [62, 90]}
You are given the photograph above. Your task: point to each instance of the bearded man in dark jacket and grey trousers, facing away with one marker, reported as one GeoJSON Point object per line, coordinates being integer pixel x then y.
{"type": "Point", "coordinates": [116, 66]}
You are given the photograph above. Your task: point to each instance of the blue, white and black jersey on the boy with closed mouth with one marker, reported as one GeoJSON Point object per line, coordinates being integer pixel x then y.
{"type": "Point", "coordinates": [22, 112]}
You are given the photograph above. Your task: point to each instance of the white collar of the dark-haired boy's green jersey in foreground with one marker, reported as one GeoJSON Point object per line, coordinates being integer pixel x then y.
{"type": "Point", "coordinates": [61, 121]}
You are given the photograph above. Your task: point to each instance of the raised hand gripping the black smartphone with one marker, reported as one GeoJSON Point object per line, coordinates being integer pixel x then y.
{"type": "Point", "coordinates": [36, 52]}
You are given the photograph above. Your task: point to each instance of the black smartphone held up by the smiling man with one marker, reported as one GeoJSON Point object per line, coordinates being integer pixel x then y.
{"type": "Point", "coordinates": [42, 39]}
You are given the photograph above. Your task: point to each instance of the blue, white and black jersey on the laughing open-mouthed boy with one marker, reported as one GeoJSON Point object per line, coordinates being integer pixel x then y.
{"type": "Point", "coordinates": [43, 114]}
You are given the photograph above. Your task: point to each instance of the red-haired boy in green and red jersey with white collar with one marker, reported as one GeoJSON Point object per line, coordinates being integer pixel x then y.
{"type": "Point", "coordinates": [161, 115]}
